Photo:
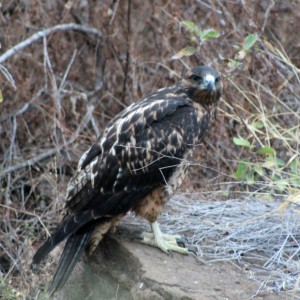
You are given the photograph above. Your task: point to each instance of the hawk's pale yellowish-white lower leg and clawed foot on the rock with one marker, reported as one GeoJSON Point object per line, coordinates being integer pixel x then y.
{"type": "Point", "coordinates": [167, 243]}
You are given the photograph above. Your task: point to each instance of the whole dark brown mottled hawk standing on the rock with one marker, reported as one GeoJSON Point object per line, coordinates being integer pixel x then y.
{"type": "Point", "coordinates": [135, 165]}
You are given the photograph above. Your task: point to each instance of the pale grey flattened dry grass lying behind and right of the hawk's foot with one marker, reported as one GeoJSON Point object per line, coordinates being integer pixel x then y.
{"type": "Point", "coordinates": [254, 235]}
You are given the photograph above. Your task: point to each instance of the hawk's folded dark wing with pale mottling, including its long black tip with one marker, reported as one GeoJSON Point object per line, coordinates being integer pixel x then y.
{"type": "Point", "coordinates": [138, 151]}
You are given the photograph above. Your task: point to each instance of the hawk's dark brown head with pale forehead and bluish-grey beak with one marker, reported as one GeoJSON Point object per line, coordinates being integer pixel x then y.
{"type": "Point", "coordinates": [203, 85]}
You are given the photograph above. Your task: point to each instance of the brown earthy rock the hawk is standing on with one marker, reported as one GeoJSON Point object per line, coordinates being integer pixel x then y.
{"type": "Point", "coordinates": [128, 270]}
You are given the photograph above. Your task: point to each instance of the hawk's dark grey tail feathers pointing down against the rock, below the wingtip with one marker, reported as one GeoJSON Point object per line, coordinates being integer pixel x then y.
{"type": "Point", "coordinates": [71, 254]}
